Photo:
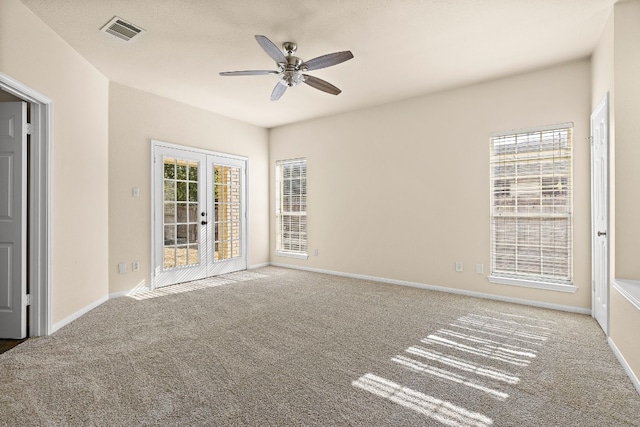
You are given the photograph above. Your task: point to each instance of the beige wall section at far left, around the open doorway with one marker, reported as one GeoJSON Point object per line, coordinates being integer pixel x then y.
{"type": "Point", "coordinates": [31, 53]}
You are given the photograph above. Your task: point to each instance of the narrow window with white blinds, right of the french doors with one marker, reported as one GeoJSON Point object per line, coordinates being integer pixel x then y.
{"type": "Point", "coordinates": [291, 208]}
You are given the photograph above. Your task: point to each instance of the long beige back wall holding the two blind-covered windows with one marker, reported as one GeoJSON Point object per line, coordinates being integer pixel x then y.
{"type": "Point", "coordinates": [401, 191]}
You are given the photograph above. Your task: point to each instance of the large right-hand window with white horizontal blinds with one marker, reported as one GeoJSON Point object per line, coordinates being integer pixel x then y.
{"type": "Point", "coordinates": [531, 208]}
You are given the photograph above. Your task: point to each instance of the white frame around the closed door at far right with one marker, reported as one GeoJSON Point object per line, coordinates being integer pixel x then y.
{"type": "Point", "coordinates": [603, 104]}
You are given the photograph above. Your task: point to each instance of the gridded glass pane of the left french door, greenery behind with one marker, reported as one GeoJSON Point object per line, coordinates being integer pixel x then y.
{"type": "Point", "coordinates": [181, 245]}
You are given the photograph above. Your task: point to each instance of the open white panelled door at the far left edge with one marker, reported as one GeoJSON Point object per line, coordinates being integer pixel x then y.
{"type": "Point", "coordinates": [13, 215]}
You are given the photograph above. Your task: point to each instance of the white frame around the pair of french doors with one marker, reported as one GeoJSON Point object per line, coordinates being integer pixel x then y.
{"type": "Point", "coordinates": [156, 143]}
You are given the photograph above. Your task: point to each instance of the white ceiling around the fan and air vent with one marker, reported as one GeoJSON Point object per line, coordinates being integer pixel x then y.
{"type": "Point", "coordinates": [402, 48]}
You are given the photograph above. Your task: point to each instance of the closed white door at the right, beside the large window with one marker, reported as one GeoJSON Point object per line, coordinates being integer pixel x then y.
{"type": "Point", "coordinates": [600, 213]}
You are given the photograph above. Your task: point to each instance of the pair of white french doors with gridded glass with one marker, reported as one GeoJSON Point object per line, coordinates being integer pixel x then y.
{"type": "Point", "coordinates": [199, 214]}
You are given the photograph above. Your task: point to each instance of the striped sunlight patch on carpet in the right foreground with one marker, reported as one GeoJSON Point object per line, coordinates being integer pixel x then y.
{"type": "Point", "coordinates": [480, 352]}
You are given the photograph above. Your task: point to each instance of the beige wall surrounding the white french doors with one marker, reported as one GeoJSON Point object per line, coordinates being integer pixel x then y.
{"type": "Point", "coordinates": [136, 117]}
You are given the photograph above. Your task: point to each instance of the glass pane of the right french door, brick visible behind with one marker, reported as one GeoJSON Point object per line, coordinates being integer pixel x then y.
{"type": "Point", "coordinates": [227, 218]}
